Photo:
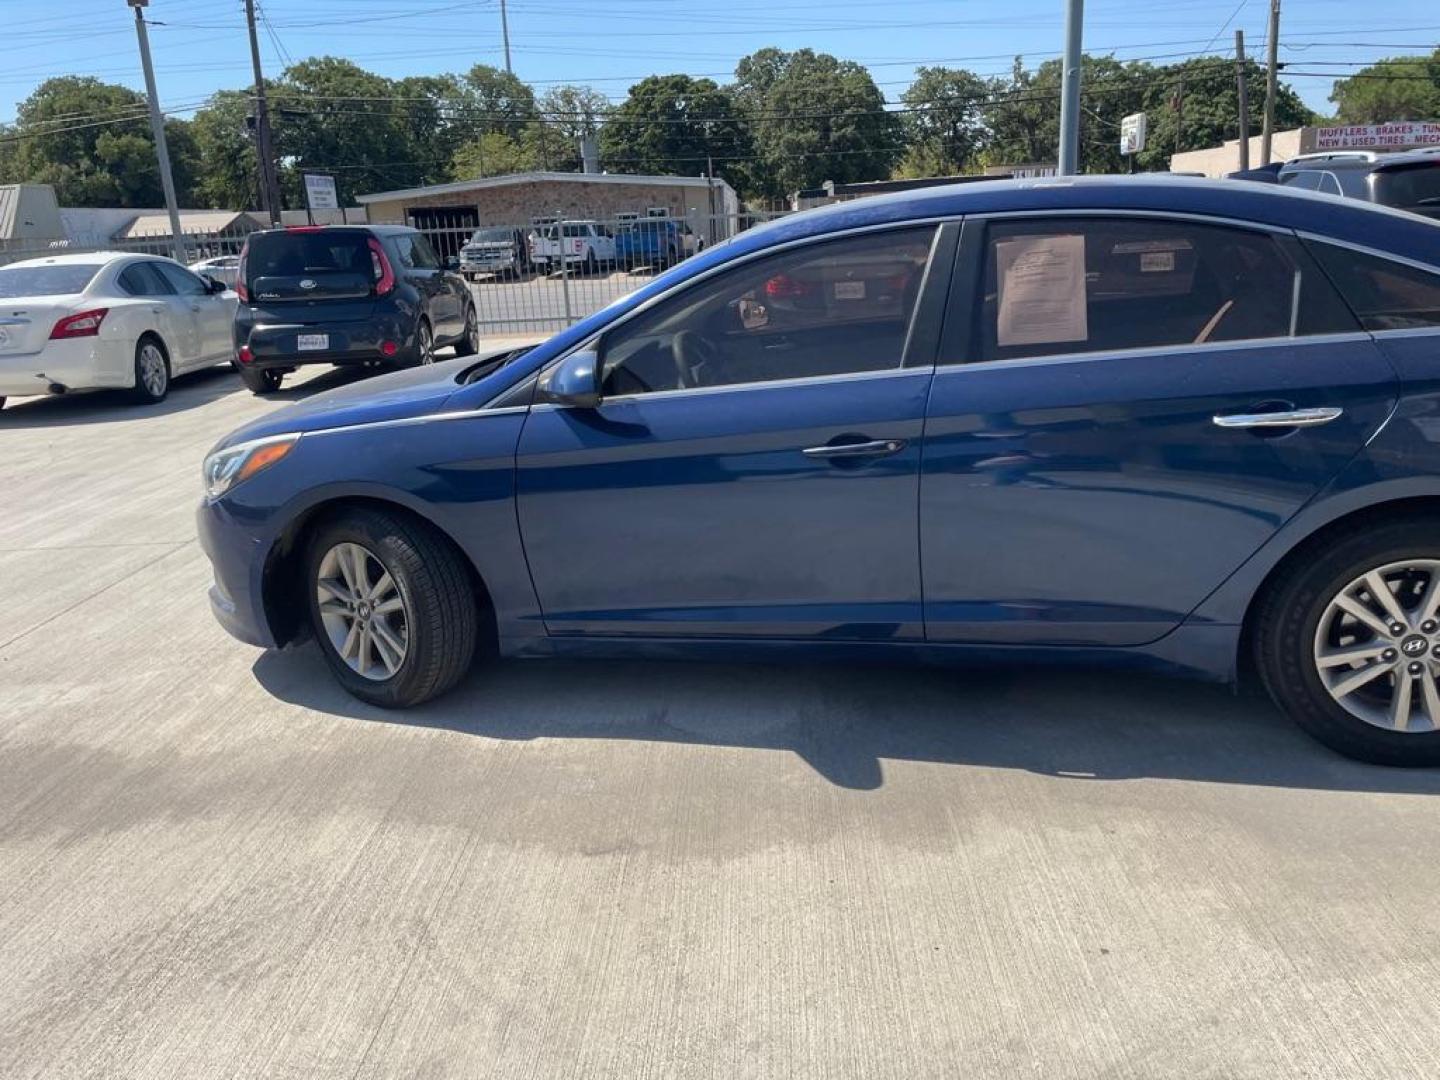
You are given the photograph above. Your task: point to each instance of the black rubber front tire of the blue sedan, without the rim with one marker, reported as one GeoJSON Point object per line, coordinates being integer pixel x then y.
{"type": "Point", "coordinates": [440, 606]}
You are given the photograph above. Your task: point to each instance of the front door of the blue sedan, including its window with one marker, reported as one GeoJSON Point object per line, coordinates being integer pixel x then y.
{"type": "Point", "coordinates": [754, 467]}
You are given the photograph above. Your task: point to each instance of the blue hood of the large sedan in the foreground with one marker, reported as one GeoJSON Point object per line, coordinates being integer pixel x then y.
{"type": "Point", "coordinates": [397, 397]}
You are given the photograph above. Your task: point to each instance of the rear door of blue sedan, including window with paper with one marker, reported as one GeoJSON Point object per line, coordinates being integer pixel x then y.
{"type": "Point", "coordinates": [1140, 405]}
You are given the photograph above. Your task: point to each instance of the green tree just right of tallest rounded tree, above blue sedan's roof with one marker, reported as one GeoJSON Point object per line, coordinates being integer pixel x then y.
{"type": "Point", "coordinates": [945, 125]}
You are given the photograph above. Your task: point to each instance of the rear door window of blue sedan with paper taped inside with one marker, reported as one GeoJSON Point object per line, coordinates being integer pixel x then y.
{"type": "Point", "coordinates": [1055, 287]}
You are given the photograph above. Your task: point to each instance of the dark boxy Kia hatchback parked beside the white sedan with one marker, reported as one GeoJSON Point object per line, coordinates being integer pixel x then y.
{"type": "Point", "coordinates": [345, 294]}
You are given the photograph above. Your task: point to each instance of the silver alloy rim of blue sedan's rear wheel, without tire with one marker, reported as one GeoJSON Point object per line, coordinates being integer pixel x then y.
{"type": "Point", "coordinates": [1377, 647]}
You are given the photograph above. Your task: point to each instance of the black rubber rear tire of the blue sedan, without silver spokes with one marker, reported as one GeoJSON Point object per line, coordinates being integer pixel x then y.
{"type": "Point", "coordinates": [1290, 618]}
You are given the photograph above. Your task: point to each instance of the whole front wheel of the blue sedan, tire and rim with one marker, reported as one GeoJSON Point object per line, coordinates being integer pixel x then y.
{"type": "Point", "coordinates": [392, 608]}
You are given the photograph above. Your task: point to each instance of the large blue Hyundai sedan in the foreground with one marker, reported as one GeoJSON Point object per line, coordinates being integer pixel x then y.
{"type": "Point", "coordinates": [1153, 423]}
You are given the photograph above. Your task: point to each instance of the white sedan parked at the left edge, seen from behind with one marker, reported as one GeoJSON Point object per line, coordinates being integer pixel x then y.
{"type": "Point", "coordinates": [109, 320]}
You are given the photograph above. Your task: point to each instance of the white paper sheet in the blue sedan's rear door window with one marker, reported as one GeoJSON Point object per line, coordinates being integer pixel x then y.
{"type": "Point", "coordinates": [1042, 292]}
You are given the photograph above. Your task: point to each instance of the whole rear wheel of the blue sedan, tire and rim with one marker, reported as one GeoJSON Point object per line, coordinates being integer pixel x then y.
{"type": "Point", "coordinates": [1349, 643]}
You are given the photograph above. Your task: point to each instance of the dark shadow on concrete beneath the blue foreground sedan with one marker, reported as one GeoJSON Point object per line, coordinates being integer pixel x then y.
{"type": "Point", "coordinates": [846, 722]}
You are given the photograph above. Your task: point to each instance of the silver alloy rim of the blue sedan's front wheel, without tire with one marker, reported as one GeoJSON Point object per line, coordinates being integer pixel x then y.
{"type": "Point", "coordinates": [364, 611]}
